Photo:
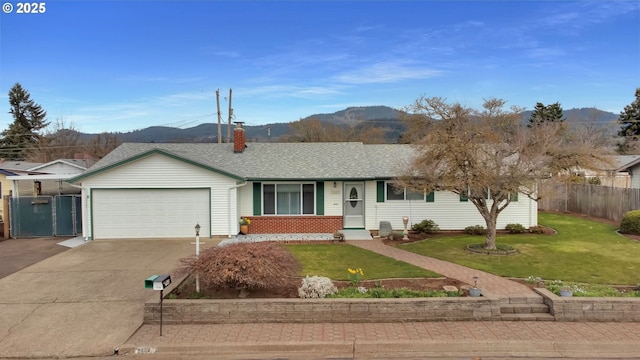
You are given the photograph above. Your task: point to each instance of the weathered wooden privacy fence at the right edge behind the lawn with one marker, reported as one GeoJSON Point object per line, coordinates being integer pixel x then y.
{"type": "Point", "coordinates": [591, 200]}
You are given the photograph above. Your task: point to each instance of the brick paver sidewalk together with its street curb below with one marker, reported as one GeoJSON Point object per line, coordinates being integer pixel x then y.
{"type": "Point", "coordinates": [463, 340]}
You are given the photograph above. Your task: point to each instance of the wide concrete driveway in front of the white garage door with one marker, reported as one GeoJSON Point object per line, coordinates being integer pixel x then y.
{"type": "Point", "coordinates": [85, 301]}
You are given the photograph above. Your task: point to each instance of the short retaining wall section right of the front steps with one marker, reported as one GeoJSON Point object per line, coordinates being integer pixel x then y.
{"type": "Point", "coordinates": [591, 309]}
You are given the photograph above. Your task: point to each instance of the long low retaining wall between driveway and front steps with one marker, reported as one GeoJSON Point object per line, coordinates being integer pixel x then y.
{"type": "Point", "coordinates": [321, 310]}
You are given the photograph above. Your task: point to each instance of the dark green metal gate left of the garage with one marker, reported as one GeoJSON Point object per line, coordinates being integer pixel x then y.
{"type": "Point", "coordinates": [58, 215]}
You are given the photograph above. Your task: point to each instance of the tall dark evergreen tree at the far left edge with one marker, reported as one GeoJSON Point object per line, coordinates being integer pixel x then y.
{"type": "Point", "coordinates": [22, 135]}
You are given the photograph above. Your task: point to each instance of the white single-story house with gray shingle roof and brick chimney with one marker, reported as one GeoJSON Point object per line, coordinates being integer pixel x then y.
{"type": "Point", "coordinates": [163, 190]}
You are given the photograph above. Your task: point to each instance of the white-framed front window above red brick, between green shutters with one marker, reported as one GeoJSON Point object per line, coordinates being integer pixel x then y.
{"type": "Point", "coordinates": [288, 199]}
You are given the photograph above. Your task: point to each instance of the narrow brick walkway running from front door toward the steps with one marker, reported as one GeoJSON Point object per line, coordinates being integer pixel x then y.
{"type": "Point", "coordinates": [493, 284]}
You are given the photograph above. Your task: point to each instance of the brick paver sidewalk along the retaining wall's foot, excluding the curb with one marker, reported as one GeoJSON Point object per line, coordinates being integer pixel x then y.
{"type": "Point", "coordinates": [538, 331]}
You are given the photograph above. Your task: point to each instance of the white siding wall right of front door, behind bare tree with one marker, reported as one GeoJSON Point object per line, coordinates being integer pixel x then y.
{"type": "Point", "coordinates": [447, 211]}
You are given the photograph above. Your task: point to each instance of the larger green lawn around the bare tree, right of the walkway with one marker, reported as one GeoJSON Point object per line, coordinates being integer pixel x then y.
{"type": "Point", "coordinates": [582, 251]}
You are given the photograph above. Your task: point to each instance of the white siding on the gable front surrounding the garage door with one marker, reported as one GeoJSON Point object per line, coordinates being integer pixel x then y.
{"type": "Point", "coordinates": [158, 172]}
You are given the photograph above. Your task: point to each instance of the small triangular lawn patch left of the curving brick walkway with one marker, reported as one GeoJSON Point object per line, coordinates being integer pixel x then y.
{"type": "Point", "coordinates": [332, 261]}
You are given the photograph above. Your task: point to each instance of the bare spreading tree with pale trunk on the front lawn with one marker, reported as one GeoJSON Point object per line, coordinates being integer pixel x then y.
{"type": "Point", "coordinates": [489, 156]}
